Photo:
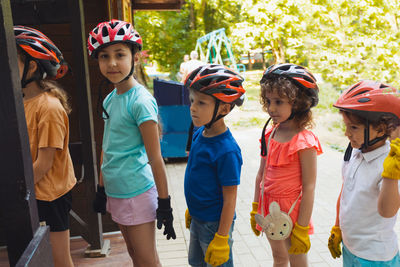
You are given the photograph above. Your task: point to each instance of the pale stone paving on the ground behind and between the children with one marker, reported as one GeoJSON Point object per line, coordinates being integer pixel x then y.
{"type": "Point", "coordinates": [249, 250]}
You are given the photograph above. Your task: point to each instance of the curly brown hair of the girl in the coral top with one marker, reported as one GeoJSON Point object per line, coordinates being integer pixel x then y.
{"type": "Point", "coordinates": [300, 101]}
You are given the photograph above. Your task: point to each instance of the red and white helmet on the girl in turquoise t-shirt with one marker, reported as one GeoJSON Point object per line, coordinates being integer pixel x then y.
{"type": "Point", "coordinates": [113, 31]}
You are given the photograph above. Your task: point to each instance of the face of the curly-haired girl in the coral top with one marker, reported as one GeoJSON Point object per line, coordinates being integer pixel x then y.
{"type": "Point", "coordinates": [278, 107]}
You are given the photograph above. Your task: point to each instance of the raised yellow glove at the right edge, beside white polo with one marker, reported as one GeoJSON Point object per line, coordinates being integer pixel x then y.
{"type": "Point", "coordinates": [391, 165]}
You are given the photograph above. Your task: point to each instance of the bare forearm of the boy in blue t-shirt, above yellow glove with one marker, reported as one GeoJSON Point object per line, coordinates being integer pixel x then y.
{"type": "Point", "coordinates": [228, 209]}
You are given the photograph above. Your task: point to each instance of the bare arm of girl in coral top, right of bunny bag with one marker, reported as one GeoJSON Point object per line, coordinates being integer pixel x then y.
{"type": "Point", "coordinates": [308, 161]}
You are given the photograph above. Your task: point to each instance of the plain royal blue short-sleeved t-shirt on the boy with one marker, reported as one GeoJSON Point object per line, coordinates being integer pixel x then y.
{"type": "Point", "coordinates": [213, 162]}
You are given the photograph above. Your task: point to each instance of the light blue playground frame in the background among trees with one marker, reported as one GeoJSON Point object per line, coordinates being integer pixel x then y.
{"type": "Point", "coordinates": [215, 40]}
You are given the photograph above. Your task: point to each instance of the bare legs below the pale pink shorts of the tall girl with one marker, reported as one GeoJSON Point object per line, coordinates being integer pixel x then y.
{"type": "Point", "coordinates": [141, 243]}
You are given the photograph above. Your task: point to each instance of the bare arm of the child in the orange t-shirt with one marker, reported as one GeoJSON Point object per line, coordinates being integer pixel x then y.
{"type": "Point", "coordinates": [43, 163]}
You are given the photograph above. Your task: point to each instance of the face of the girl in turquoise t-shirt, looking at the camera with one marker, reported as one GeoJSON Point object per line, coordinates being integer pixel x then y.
{"type": "Point", "coordinates": [115, 62]}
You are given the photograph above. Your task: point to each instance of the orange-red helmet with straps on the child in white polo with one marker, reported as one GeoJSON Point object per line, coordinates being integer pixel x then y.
{"type": "Point", "coordinates": [370, 100]}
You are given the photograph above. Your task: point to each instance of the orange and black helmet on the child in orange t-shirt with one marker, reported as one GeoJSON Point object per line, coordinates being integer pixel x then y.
{"type": "Point", "coordinates": [40, 48]}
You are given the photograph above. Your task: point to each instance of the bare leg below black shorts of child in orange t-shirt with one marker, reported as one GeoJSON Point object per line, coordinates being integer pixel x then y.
{"type": "Point", "coordinates": [61, 249]}
